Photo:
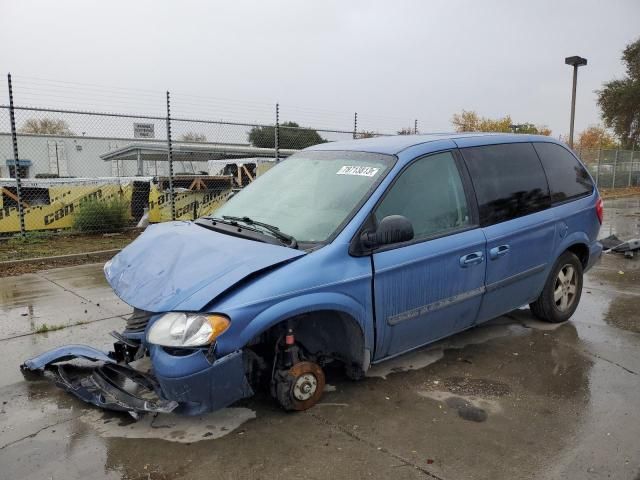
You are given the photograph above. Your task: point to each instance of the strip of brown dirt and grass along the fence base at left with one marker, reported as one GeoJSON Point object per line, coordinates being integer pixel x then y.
{"type": "Point", "coordinates": [37, 245]}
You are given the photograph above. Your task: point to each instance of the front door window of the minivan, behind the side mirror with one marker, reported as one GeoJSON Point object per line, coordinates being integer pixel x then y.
{"type": "Point", "coordinates": [430, 194]}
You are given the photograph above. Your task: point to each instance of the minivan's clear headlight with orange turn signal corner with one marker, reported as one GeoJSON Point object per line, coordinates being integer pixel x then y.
{"type": "Point", "coordinates": [178, 329]}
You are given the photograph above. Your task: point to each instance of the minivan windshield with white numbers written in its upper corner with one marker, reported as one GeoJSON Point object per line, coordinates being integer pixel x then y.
{"type": "Point", "coordinates": [311, 194]}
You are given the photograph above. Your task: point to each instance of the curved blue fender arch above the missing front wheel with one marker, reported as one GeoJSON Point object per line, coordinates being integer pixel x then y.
{"type": "Point", "coordinates": [291, 307]}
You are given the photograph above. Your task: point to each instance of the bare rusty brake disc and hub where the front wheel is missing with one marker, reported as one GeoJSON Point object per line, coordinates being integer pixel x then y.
{"type": "Point", "coordinates": [289, 384]}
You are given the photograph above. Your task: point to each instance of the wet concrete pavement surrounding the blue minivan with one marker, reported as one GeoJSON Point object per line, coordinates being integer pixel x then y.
{"type": "Point", "coordinates": [512, 398]}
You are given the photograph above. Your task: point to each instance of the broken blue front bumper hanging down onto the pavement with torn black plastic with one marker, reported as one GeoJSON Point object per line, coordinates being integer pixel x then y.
{"type": "Point", "coordinates": [188, 384]}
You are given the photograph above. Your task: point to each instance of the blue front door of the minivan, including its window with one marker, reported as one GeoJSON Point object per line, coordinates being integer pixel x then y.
{"type": "Point", "coordinates": [432, 286]}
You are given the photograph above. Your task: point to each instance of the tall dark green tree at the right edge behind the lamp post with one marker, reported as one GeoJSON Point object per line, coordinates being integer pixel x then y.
{"type": "Point", "coordinates": [619, 100]}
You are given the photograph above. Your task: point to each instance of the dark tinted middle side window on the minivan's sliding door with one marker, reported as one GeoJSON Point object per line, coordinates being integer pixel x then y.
{"type": "Point", "coordinates": [508, 179]}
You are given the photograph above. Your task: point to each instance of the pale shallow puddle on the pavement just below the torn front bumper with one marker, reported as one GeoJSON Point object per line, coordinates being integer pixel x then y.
{"type": "Point", "coordinates": [172, 428]}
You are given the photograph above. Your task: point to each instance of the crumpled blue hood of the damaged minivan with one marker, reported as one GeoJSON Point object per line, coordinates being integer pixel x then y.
{"type": "Point", "coordinates": [183, 266]}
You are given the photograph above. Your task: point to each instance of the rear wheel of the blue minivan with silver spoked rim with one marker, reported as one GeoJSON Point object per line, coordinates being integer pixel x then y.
{"type": "Point", "coordinates": [556, 303]}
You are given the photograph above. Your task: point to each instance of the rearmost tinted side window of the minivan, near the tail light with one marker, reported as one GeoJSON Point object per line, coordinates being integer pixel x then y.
{"type": "Point", "coordinates": [567, 177]}
